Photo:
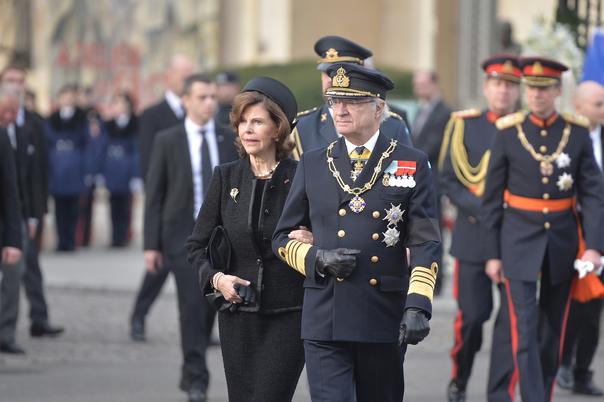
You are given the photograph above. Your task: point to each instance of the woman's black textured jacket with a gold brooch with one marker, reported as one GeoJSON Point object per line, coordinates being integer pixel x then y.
{"type": "Point", "coordinates": [229, 203]}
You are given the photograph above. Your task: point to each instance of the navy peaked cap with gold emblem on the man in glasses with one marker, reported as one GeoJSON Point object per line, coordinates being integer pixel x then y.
{"type": "Point", "coordinates": [353, 80]}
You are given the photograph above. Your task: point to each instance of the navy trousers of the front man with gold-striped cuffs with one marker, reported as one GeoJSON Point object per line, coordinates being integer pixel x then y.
{"type": "Point", "coordinates": [341, 371]}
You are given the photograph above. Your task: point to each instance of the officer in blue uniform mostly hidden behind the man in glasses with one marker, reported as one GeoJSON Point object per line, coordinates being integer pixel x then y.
{"type": "Point", "coordinates": [315, 128]}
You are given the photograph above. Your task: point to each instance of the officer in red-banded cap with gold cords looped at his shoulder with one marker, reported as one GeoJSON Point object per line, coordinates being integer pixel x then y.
{"type": "Point", "coordinates": [463, 162]}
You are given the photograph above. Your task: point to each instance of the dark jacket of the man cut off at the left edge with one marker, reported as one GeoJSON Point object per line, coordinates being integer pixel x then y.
{"type": "Point", "coordinates": [10, 222]}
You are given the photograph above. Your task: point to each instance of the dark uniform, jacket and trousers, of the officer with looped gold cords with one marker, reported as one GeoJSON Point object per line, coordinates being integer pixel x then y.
{"type": "Point", "coordinates": [471, 134]}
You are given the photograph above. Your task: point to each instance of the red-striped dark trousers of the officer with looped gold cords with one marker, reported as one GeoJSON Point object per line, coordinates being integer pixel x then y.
{"type": "Point", "coordinates": [472, 289]}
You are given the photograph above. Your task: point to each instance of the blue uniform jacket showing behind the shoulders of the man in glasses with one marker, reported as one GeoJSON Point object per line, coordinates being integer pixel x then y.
{"type": "Point", "coordinates": [315, 129]}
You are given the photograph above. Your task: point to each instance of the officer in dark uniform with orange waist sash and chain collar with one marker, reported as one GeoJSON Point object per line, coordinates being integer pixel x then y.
{"type": "Point", "coordinates": [541, 164]}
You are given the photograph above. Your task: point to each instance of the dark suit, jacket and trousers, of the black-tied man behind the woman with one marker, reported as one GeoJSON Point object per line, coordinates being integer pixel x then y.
{"type": "Point", "coordinates": [169, 220]}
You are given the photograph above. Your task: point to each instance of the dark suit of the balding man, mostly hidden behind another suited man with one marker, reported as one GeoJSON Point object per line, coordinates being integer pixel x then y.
{"type": "Point", "coordinates": [154, 119]}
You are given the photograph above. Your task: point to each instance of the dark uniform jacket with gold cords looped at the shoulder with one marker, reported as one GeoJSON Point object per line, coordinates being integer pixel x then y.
{"type": "Point", "coordinates": [468, 142]}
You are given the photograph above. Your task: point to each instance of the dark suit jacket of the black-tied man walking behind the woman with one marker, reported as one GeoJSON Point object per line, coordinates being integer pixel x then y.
{"type": "Point", "coordinates": [169, 199]}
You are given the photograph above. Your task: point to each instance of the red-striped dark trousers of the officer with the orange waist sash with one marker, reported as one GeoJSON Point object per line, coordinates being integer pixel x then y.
{"type": "Point", "coordinates": [537, 327]}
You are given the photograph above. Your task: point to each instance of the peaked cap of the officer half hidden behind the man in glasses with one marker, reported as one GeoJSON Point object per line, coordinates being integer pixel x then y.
{"type": "Point", "coordinates": [333, 49]}
